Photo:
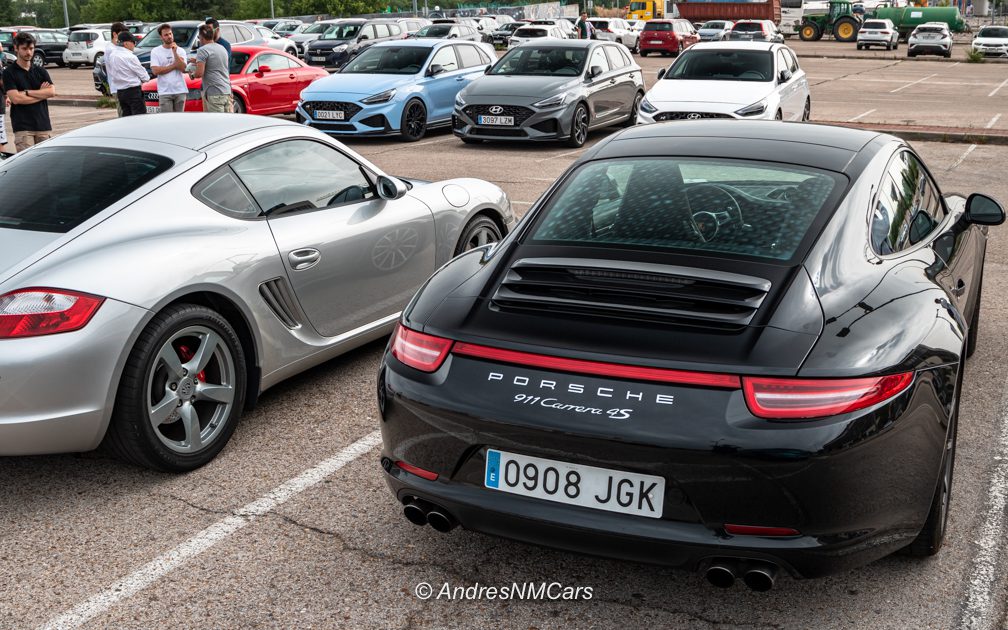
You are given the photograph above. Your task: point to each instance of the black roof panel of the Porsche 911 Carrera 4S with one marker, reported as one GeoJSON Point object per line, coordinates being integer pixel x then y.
{"type": "Point", "coordinates": [820, 147]}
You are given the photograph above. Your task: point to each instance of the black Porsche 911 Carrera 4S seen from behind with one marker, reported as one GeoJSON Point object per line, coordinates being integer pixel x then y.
{"type": "Point", "coordinates": [731, 347]}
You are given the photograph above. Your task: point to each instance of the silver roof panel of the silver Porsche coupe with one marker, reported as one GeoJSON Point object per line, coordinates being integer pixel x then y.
{"type": "Point", "coordinates": [194, 132]}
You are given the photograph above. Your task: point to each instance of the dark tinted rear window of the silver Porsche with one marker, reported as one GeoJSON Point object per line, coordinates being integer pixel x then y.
{"type": "Point", "coordinates": [58, 189]}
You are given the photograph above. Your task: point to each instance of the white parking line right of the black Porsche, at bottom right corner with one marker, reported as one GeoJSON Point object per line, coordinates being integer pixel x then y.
{"type": "Point", "coordinates": [977, 614]}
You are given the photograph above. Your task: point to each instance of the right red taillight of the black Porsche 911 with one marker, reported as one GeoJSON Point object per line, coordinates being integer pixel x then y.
{"type": "Point", "coordinates": [807, 399]}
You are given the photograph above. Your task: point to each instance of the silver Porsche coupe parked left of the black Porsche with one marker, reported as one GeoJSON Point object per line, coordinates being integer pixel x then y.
{"type": "Point", "coordinates": [159, 273]}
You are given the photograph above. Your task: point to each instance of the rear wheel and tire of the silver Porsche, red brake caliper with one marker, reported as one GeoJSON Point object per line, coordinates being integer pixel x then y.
{"type": "Point", "coordinates": [179, 334]}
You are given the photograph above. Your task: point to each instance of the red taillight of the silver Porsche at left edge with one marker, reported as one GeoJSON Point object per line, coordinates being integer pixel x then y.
{"type": "Point", "coordinates": [35, 312]}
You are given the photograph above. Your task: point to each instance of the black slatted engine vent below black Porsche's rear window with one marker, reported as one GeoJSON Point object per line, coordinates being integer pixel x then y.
{"type": "Point", "coordinates": [621, 290]}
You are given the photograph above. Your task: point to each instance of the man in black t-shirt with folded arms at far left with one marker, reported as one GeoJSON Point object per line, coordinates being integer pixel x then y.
{"type": "Point", "coordinates": [29, 87]}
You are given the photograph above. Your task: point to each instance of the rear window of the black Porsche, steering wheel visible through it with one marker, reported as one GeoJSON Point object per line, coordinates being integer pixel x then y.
{"type": "Point", "coordinates": [761, 210]}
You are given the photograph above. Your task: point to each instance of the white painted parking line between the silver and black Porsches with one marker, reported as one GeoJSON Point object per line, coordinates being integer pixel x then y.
{"type": "Point", "coordinates": [166, 564]}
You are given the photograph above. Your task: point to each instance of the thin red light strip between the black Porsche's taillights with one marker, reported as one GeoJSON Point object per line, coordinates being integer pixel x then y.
{"type": "Point", "coordinates": [682, 377]}
